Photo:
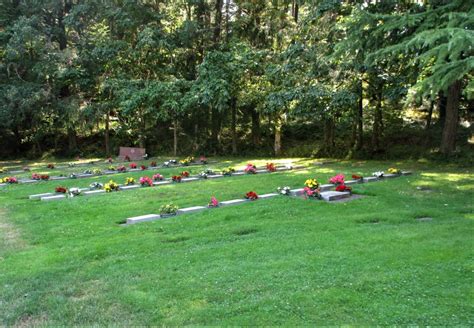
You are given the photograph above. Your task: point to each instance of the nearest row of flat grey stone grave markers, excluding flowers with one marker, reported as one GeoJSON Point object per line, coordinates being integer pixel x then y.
{"type": "Point", "coordinates": [326, 195]}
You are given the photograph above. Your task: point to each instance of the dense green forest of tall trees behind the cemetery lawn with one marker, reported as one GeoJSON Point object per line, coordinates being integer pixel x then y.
{"type": "Point", "coordinates": [364, 79]}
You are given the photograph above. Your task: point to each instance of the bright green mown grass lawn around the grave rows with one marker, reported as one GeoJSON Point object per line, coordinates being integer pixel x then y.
{"type": "Point", "coordinates": [281, 261]}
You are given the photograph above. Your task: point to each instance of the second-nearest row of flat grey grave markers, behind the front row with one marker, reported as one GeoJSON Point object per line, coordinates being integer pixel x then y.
{"type": "Point", "coordinates": [89, 192]}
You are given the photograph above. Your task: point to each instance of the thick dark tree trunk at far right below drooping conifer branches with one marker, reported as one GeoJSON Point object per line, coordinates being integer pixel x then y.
{"type": "Point", "coordinates": [448, 142]}
